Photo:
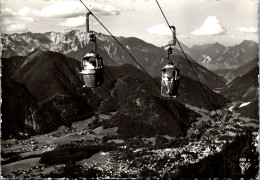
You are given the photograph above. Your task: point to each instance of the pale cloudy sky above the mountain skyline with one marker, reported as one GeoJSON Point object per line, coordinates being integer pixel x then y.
{"type": "Point", "coordinates": [197, 22]}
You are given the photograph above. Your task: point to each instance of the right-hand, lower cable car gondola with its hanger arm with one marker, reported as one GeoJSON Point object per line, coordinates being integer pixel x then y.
{"type": "Point", "coordinates": [170, 74]}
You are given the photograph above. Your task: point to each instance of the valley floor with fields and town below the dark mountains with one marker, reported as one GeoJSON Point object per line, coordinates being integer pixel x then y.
{"type": "Point", "coordinates": [134, 157]}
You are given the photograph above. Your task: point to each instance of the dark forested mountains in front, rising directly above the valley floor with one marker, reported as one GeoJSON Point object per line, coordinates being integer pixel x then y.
{"type": "Point", "coordinates": [51, 94]}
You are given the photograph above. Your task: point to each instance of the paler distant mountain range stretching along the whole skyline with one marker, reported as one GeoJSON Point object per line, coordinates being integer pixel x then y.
{"type": "Point", "coordinates": [73, 42]}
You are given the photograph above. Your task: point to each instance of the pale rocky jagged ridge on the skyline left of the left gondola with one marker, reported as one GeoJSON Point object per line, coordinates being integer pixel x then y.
{"type": "Point", "coordinates": [63, 42]}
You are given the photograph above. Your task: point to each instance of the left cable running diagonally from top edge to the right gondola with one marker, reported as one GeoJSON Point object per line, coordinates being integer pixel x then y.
{"type": "Point", "coordinates": [133, 58]}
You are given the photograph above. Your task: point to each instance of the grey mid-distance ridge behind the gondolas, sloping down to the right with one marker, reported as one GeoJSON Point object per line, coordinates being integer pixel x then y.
{"type": "Point", "coordinates": [152, 59]}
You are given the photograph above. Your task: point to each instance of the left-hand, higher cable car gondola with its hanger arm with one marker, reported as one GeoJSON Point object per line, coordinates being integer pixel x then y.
{"type": "Point", "coordinates": [92, 63]}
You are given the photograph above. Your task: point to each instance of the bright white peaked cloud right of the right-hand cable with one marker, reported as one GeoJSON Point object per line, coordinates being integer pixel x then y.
{"type": "Point", "coordinates": [211, 26]}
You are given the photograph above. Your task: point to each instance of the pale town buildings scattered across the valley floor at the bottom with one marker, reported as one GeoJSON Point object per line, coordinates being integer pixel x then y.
{"type": "Point", "coordinates": [161, 161]}
